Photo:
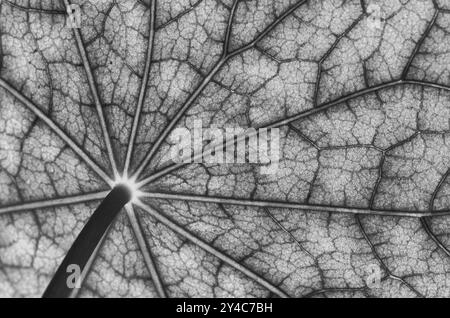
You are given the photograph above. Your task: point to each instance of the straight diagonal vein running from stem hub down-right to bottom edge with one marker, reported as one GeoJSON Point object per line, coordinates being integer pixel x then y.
{"type": "Point", "coordinates": [205, 246]}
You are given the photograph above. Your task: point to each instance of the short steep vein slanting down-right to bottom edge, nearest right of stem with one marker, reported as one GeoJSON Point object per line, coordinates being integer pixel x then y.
{"type": "Point", "coordinates": [145, 251]}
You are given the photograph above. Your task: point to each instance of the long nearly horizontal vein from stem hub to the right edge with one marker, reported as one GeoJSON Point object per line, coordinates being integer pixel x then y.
{"type": "Point", "coordinates": [286, 205]}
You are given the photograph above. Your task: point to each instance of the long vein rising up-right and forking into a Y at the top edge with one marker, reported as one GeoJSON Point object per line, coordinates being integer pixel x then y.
{"type": "Point", "coordinates": [224, 58]}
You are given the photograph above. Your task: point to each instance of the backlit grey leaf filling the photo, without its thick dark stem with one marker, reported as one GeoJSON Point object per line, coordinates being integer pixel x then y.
{"type": "Point", "coordinates": [359, 89]}
